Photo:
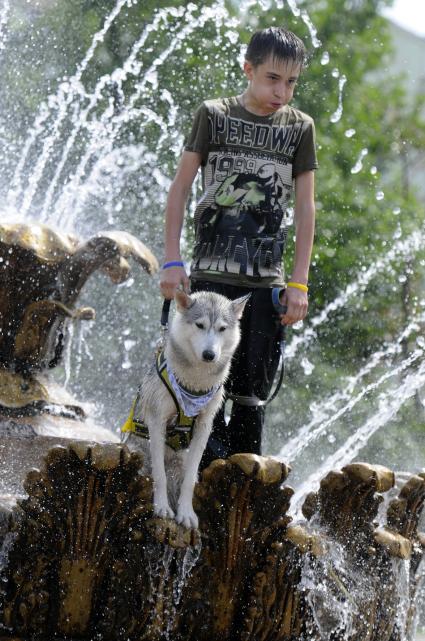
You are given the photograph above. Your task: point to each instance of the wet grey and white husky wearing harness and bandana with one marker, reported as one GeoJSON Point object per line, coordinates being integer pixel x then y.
{"type": "Point", "coordinates": [201, 341]}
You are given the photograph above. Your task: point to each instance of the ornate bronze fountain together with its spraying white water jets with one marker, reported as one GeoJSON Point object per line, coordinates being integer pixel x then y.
{"type": "Point", "coordinates": [81, 552]}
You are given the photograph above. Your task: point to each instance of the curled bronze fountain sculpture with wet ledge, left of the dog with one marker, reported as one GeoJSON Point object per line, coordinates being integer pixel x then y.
{"type": "Point", "coordinates": [41, 274]}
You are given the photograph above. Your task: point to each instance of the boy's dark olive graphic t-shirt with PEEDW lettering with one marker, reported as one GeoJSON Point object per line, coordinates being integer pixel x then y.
{"type": "Point", "coordinates": [248, 165]}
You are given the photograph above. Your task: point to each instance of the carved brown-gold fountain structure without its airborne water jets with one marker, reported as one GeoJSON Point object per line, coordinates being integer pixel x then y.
{"type": "Point", "coordinates": [108, 568]}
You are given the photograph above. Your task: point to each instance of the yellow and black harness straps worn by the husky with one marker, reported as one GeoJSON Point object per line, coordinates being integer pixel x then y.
{"type": "Point", "coordinates": [180, 430]}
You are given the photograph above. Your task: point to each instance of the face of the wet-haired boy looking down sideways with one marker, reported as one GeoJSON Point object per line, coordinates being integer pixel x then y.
{"type": "Point", "coordinates": [271, 84]}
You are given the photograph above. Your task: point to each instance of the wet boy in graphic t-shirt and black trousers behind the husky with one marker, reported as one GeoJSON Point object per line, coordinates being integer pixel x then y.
{"type": "Point", "coordinates": [251, 149]}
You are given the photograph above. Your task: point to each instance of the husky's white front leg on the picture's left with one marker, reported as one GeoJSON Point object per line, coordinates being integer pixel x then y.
{"type": "Point", "coordinates": [157, 433]}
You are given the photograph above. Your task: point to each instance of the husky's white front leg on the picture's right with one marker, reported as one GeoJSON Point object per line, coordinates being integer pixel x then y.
{"type": "Point", "coordinates": [185, 512]}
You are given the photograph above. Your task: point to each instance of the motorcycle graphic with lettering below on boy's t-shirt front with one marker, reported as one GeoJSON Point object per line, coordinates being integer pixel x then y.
{"type": "Point", "coordinates": [241, 229]}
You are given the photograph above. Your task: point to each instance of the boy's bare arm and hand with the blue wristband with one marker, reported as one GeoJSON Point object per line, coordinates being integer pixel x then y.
{"type": "Point", "coordinates": [173, 277]}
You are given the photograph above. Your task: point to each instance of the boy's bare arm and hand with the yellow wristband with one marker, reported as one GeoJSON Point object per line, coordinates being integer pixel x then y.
{"type": "Point", "coordinates": [296, 299]}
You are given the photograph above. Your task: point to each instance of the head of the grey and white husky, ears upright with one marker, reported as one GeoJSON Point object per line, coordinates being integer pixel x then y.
{"type": "Point", "coordinates": [206, 324]}
